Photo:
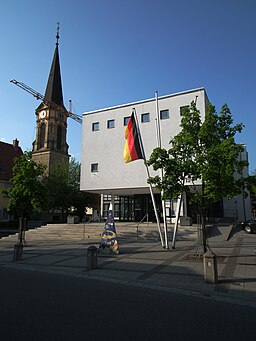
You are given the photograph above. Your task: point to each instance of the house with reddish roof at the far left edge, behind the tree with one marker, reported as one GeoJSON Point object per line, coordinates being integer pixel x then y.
{"type": "Point", "coordinates": [8, 153]}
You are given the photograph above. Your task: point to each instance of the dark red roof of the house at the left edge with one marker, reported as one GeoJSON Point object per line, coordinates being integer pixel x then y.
{"type": "Point", "coordinates": [8, 152]}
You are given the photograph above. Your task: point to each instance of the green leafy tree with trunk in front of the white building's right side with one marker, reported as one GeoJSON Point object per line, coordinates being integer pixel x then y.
{"type": "Point", "coordinates": [203, 152]}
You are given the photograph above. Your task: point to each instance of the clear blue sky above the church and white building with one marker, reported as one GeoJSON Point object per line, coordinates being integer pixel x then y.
{"type": "Point", "coordinates": [118, 51]}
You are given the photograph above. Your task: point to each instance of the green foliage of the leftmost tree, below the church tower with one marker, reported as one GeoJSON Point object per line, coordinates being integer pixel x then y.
{"type": "Point", "coordinates": [27, 194]}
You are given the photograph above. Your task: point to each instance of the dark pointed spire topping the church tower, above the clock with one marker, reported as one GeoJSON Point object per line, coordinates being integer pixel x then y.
{"type": "Point", "coordinates": [53, 90]}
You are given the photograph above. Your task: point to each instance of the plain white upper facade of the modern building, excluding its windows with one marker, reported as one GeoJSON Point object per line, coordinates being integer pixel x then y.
{"type": "Point", "coordinates": [104, 147]}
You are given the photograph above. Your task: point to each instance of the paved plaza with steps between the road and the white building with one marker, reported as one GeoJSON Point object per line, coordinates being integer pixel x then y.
{"type": "Point", "coordinates": [143, 262]}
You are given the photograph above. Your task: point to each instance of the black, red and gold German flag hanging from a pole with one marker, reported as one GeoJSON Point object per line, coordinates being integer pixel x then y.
{"type": "Point", "coordinates": [132, 148]}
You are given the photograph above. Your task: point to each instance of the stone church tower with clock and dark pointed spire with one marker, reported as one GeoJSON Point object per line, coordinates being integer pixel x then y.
{"type": "Point", "coordinates": [50, 146]}
